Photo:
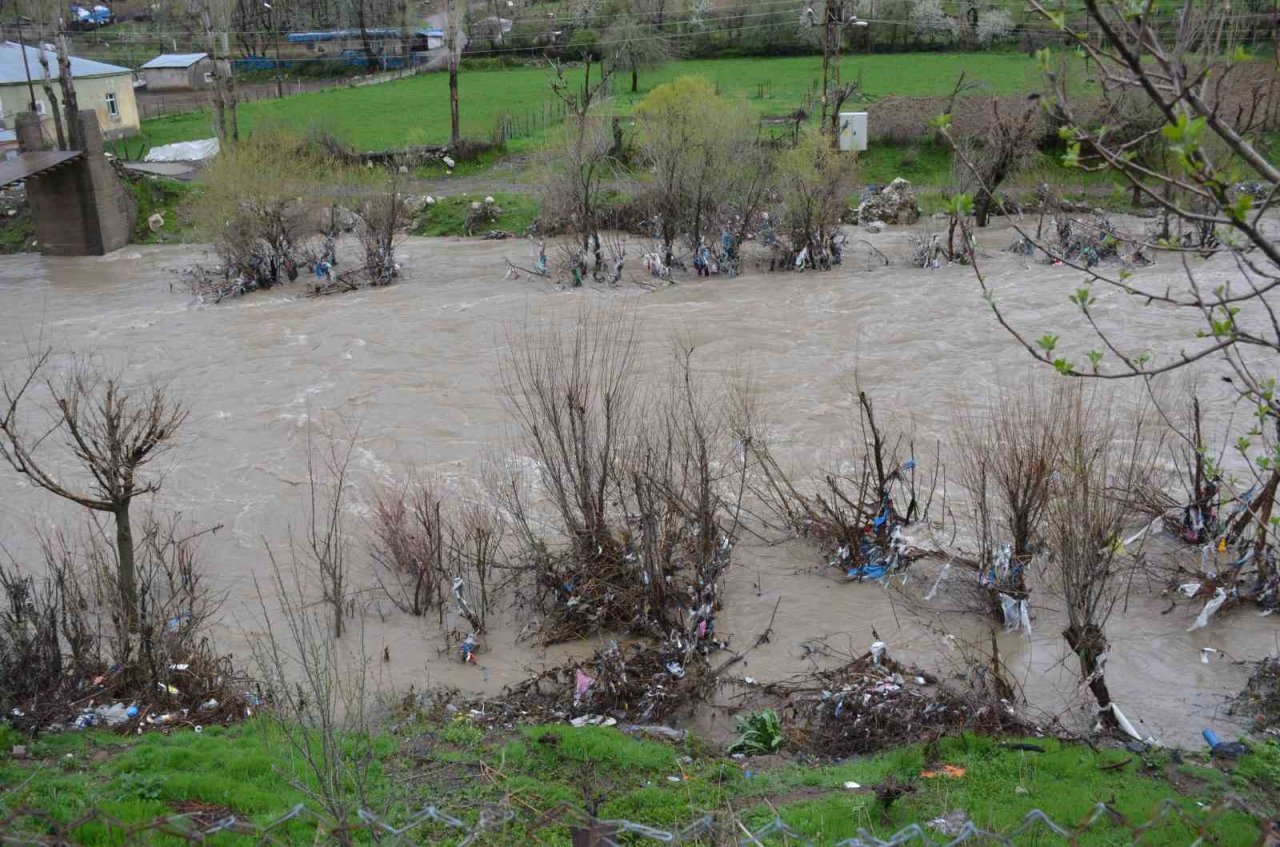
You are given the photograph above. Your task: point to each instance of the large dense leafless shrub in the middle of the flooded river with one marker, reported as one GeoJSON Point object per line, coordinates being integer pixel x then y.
{"type": "Point", "coordinates": [639, 507]}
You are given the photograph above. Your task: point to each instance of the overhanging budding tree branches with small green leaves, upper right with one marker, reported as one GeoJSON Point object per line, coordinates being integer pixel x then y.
{"type": "Point", "coordinates": [1213, 181]}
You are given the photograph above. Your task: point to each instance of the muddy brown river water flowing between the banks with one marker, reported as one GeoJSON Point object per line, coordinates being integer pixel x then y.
{"type": "Point", "coordinates": [415, 368]}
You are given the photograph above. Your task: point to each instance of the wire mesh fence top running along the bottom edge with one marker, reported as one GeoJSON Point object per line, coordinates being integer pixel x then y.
{"type": "Point", "coordinates": [1171, 823]}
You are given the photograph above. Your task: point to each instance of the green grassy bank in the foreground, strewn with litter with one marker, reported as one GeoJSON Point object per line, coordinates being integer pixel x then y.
{"type": "Point", "coordinates": [459, 767]}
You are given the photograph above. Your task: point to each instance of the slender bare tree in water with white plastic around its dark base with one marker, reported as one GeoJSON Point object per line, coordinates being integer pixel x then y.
{"type": "Point", "coordinates": [1103, 461]}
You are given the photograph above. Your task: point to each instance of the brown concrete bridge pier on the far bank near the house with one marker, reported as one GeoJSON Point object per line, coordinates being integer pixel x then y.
{"type": "Point", "coordinates": [79, 208]}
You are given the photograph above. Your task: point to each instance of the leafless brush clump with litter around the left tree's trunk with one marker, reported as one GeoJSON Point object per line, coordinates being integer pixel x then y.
{"type": "Point", "coordinates": [67, 639]}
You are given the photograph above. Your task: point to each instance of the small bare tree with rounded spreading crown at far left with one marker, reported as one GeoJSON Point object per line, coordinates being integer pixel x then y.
{"type": "Point", "coordinates": [113, 431]}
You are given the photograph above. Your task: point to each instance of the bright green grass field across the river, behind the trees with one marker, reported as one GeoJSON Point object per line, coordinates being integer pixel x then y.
{"type": "Point", "coordinates": [417, 112]}
